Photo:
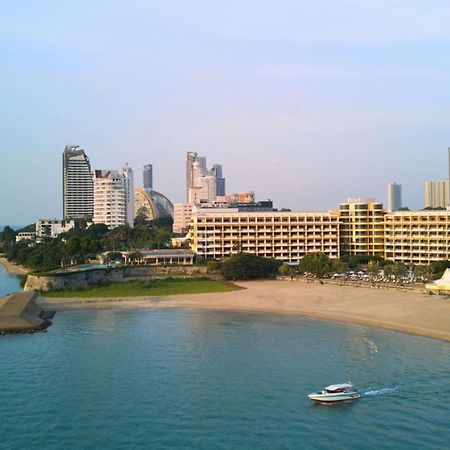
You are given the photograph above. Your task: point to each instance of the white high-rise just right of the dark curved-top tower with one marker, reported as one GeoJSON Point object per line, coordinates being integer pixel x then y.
{"type": "Point", "coordinates": [114, 197]}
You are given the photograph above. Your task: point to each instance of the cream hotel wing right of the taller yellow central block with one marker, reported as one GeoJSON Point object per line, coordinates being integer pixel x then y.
{"type": "Point", "coordinates": [417, 237]}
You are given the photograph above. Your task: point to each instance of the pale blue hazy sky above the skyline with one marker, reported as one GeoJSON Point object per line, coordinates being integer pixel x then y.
{"type": "Point", "coordinates": [305, 103]}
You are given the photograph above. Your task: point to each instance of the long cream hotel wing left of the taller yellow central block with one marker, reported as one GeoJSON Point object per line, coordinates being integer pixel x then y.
{"type": "Point", "coordinates": [285, 236]}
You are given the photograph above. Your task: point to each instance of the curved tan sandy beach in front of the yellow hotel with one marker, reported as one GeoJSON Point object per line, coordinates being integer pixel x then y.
{"type": "Point", "coordinates": [406, 311]}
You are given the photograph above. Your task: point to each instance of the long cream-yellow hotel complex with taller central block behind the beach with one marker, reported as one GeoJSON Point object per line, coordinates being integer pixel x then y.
{"type": "Point", "coordinates": [359, 227]}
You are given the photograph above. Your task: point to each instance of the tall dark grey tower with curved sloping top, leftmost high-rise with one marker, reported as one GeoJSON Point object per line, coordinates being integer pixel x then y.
{"type": "Point", "coordinates": [78, 189]}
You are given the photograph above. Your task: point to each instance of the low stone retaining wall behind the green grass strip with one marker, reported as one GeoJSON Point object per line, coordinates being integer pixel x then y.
{"type": "Point", "coordinates": [83, 279]}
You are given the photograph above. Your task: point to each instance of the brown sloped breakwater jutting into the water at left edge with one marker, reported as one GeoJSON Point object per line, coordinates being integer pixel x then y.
{"type": "Point", "coordinates": [19, 313]}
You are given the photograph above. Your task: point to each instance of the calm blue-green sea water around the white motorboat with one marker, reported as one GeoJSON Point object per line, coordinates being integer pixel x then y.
{"type": "Point", "coordinates": [202, 379]}
